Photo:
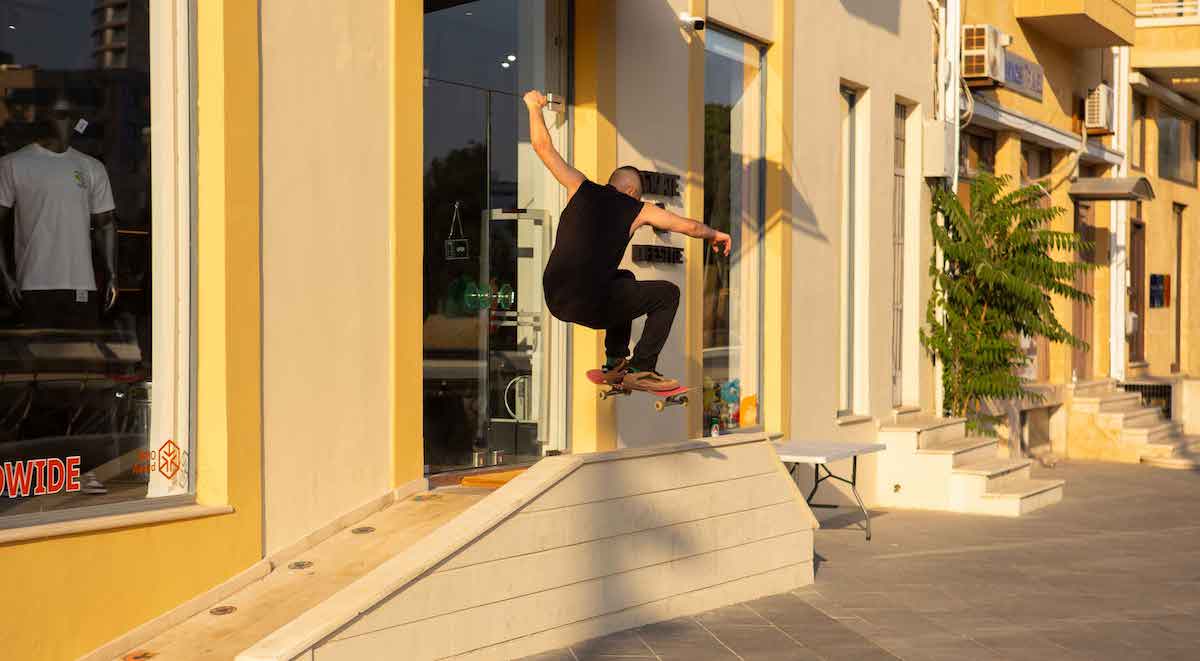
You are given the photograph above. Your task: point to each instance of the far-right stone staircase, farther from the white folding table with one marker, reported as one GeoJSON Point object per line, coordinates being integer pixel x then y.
{"type": "Point", "coordinates": [1113, 425]}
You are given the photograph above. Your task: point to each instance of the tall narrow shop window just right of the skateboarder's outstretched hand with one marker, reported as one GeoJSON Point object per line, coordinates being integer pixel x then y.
{"type": "Point", "coordinates": [734, 149]}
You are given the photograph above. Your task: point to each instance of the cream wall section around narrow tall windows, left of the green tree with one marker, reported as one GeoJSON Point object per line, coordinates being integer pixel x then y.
{"type": "Point", "coordinates": [827, 55]}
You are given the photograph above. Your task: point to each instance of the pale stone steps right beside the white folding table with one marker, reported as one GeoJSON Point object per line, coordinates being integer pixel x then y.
{"type": "Point", "coordinates": [932, 464]}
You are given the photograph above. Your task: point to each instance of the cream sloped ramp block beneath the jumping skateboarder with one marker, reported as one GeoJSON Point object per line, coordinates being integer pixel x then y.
{"type": "Point", "coordinates": [575, 548]}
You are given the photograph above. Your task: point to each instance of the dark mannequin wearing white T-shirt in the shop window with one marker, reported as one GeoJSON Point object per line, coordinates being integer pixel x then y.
{"type": "Point", "coordinates": [64, 212]}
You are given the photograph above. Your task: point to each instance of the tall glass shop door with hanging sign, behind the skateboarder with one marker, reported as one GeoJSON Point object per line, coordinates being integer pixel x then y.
{"type": "Point", "coordinates": [489, 208]}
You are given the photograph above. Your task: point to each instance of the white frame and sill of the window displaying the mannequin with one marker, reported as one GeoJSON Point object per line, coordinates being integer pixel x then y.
{"type": "Point", "coordinates": [173, 266]}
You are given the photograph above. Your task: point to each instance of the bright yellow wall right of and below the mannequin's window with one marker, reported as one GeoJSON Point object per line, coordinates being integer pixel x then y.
{"type": "Point", "coordinates": [77, 593]}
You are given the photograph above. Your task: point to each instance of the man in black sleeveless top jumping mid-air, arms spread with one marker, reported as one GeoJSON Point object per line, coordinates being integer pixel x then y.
{"type": "Point", "coordinates": [583, 283]}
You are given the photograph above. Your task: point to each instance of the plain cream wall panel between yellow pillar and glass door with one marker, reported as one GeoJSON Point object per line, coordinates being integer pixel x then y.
{"type": "Point", "coordinates": [326, 278]}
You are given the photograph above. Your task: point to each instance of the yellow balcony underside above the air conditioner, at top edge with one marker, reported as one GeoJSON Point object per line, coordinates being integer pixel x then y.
{"type": "Point", "coordinates": [1082, 23]}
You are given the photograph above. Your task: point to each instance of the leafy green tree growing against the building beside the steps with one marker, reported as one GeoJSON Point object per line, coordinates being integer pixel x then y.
{"type": "Point", "coordinates": [994, 287]}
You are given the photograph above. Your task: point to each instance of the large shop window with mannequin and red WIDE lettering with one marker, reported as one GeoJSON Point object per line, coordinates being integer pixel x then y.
{"type": "Point", "coordinates": [79, 227]}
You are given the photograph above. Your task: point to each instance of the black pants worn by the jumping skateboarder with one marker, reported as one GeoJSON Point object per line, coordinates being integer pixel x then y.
{"type": "Point", "coordinates": [628, 301]}
